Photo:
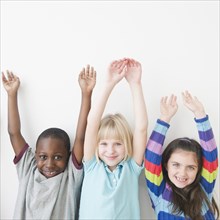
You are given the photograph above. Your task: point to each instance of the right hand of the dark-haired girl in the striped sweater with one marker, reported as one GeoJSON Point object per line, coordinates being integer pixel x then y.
{"type": "Point", "coordinates": [193, 104]}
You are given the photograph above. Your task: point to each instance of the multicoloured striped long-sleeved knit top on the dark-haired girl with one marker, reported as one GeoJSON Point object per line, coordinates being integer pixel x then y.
{"type": "Point", "coordinates": [159, 191]}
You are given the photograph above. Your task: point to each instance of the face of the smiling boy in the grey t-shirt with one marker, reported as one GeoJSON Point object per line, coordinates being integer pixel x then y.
{"type": "Point", "coordinates": [51, 156]}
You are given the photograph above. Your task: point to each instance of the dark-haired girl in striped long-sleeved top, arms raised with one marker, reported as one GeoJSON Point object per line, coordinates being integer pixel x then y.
{"type": "Point", "coordinates": [181, 179]}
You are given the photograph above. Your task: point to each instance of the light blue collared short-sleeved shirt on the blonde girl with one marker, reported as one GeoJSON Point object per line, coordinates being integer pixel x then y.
{"type": "Point", "coordinates": [110, 195]}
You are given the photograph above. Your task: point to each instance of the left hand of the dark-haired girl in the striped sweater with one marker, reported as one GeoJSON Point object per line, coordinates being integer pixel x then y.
{"type": "Point", "coordinates": [168, 107]}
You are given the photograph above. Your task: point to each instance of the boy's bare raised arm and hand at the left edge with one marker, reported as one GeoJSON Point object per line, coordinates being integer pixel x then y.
{"type": "Point", "coordinates": [11, 84]}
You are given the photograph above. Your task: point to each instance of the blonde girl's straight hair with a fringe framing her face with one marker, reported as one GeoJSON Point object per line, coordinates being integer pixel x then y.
{"type": "Point", "coordinates": [116, 126]}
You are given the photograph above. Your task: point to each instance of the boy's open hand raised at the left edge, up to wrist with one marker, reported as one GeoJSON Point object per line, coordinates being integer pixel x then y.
{"type": "Point", "coordinates": [11, 83]}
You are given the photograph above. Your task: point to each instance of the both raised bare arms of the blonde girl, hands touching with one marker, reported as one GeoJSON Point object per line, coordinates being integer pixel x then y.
{"type": "Point", "coordinates": [131, 70]}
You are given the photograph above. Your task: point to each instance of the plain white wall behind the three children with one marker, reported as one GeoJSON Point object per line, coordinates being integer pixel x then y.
{"type": "Point", "coordinates": [47, 43]}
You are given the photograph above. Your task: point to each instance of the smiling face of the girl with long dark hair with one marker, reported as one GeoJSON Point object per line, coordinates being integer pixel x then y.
{"type": "Point", "coordinates": [182, 168]}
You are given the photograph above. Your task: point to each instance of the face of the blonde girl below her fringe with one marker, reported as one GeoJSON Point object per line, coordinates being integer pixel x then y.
{"type": "Point", "coordinates": [111, 151]}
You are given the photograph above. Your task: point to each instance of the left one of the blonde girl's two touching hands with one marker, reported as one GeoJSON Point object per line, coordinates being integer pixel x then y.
{"type": "Point", "coordinates": [116, 71]}
